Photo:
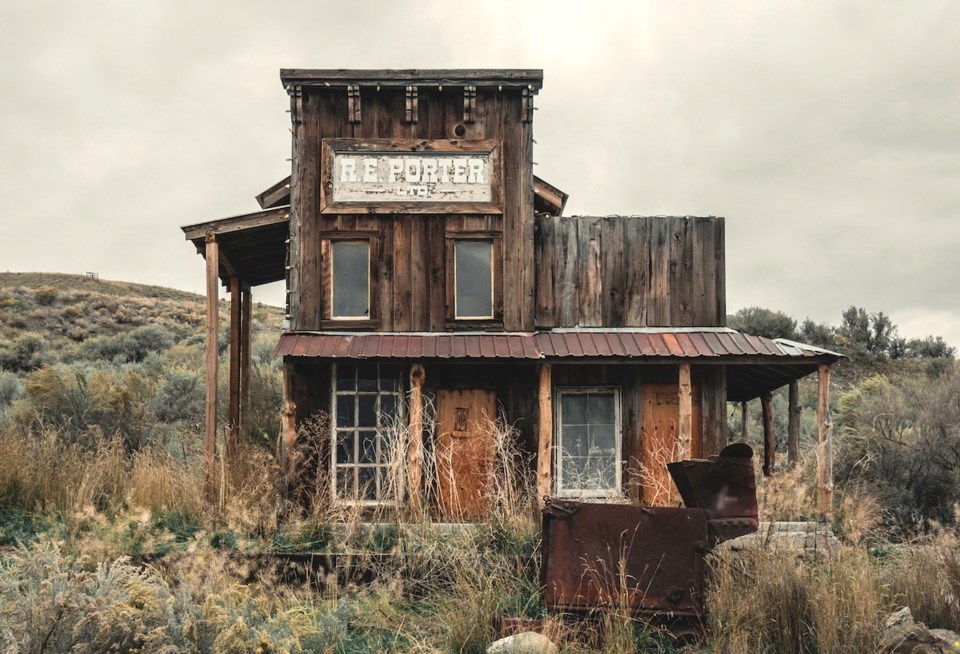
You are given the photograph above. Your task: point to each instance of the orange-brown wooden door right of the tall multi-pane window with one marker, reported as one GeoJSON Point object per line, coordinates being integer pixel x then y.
{"type": "Point", "coordinates": [464, 451]}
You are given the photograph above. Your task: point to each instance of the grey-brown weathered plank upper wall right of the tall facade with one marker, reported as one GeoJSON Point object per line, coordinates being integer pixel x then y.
{"type": "Point", "coordinates": [629, 271]}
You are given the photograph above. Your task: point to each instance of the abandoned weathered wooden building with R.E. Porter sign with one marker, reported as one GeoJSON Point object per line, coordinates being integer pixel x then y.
{"type": "Point", "coordinates": [433, 284]}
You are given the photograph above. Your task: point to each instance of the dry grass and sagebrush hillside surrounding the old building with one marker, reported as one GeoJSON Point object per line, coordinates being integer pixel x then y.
{"type": "Point", "coordinates": [101, 402]}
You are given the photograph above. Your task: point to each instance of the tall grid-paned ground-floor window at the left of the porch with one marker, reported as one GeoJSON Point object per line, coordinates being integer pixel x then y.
{"type": "Point", "coordinates": [367, 409]}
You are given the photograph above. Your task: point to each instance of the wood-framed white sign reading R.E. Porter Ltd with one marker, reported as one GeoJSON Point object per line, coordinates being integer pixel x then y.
{"type": "Point", "coordinates": [411, 176]}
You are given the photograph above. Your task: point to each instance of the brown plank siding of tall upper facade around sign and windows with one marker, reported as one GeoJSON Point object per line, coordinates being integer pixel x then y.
{"type": "Point", "coordinates": [410, 270]}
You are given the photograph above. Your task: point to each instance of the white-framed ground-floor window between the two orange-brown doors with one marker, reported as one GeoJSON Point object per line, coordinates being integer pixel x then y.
{"type": "Point", "coordinates": [588, 442]}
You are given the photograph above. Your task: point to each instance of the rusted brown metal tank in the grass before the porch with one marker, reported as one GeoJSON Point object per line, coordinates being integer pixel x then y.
{"type": "Point", "coordinates": [650, 559]}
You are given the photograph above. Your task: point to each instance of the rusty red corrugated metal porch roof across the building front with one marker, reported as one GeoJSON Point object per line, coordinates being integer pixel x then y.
{"type": "Point", "coordinates": [558, 344]}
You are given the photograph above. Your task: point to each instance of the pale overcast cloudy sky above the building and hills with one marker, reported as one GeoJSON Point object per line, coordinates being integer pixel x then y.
{"type": "Point", "coordinates": [827, 133]}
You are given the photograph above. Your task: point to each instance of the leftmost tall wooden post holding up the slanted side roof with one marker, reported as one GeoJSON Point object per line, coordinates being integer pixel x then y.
{"type": "Point", "coordinates": [210, 418]}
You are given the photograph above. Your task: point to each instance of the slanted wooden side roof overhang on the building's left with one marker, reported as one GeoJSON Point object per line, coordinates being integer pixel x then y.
{"type": "Point", "coordinates": [252, 246]}
